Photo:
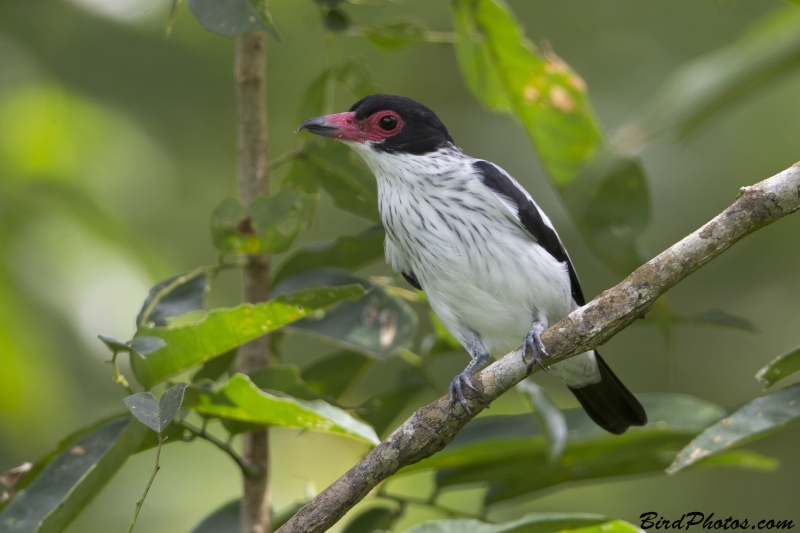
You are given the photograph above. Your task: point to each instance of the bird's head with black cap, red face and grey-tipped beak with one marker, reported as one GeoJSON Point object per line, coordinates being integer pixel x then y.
{"type": "Point", "coordinates": [394, 124]}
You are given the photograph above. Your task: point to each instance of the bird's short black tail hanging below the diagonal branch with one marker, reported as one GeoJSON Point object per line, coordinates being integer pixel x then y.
{"type": "Point", "coordinates": [609, 403]}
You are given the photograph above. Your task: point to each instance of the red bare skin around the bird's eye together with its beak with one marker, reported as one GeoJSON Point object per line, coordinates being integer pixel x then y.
{"type": "Point", "coordinates": [344, 126]}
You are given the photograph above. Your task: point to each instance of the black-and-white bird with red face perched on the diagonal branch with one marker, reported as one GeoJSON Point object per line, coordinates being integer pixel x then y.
{"type": "Point", "coordinates": [488, 259]}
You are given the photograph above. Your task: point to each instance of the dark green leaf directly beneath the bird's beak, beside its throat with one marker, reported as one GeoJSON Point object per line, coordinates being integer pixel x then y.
{"type": "Point", "coordinates": [332, 166]}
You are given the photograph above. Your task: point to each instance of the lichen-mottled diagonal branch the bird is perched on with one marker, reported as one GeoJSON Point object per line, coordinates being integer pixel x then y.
{"type": "Point", "coordinates": [432, 427]}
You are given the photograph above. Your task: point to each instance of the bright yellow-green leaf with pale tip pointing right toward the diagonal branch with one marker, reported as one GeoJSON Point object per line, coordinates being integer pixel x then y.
{"type": "Point", "coordinates": [239, 399]}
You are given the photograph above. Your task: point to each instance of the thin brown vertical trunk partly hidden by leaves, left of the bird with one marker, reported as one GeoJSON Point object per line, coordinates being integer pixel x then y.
{"type": "Point", "coordinates": [253, 181]}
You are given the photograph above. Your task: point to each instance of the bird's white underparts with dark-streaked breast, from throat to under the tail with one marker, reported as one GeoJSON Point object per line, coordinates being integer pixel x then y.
{"type": "Point", "coordinates": [481, 272]}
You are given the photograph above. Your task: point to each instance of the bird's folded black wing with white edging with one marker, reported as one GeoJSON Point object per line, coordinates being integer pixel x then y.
{"type": "Point", "coordinates": [531, 218]}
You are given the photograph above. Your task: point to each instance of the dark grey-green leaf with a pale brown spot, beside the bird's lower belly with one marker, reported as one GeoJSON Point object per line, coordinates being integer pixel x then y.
{"type": "Point", "coordinates": [378, 324]}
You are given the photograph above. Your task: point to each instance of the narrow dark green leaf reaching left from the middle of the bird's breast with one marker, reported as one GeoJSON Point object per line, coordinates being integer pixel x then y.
{"type": "Point", "coordinates": [350, 252]}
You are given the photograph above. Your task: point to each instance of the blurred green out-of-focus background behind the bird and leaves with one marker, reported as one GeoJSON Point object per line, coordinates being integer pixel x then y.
{"type": "Point", "coordinates": [116, 143]}
